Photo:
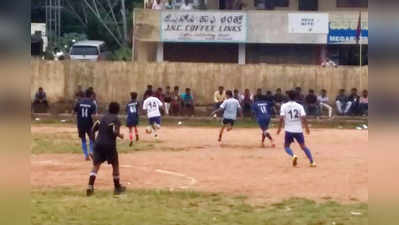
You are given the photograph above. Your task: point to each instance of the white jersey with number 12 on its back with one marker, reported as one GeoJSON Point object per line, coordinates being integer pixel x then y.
{"type": "Point", "coordinates": [292, 113]}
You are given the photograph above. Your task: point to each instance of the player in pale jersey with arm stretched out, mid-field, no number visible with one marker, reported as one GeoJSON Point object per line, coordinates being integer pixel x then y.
{"type": "Point", "coordinates": [230, 106]}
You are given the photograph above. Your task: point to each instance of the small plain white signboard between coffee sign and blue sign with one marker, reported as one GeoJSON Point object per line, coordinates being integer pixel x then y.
{"type": "Point", "coordinates": [308, 23]}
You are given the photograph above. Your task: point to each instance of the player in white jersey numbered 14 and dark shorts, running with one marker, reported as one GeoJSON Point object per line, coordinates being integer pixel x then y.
{"type": "Point", "coordinates": [153, 106]}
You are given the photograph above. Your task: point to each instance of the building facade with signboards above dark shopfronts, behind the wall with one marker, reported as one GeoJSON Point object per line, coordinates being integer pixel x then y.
{"type": "Point", "coordinates": [262, 31]}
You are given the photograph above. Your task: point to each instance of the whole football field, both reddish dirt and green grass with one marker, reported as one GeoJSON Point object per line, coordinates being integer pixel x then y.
{"type": "Point", "coordinates": [188, 178]}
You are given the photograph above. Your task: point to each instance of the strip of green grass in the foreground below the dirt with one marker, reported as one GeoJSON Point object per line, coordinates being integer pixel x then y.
{"type": "Point", "coordinates": [66, 206]}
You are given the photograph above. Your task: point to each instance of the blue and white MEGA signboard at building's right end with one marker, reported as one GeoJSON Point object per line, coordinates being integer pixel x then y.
{"type": "Point", "coordinates": [344, 31]}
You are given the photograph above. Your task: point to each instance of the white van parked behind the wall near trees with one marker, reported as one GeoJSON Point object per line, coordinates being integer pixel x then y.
{"type": "Point", "coordinates": [88, 50]}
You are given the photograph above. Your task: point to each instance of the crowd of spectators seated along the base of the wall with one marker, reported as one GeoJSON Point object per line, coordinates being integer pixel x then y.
{"type": "Point", "coordinates": [182, 103]}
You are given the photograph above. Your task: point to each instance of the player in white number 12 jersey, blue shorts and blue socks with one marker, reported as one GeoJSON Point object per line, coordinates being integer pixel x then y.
{"type": "Point", "coordinates": [293, 116]}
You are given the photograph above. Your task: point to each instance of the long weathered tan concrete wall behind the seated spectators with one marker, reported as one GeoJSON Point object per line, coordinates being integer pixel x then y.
{"type": "Point", "coordinates": [114, 80]}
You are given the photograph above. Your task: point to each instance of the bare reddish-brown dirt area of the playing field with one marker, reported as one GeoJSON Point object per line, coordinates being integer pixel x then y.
{"type": "Point", "coordinates": [190, 159]}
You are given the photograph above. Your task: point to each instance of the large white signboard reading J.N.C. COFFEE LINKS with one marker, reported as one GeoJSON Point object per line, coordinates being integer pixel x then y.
{"type": "Point", "coordinates": [202, 26]}
